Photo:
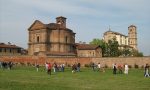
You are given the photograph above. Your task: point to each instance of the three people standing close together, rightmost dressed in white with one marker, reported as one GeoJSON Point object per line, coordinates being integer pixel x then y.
{"type": "Point", "coordinates": [120, 68]}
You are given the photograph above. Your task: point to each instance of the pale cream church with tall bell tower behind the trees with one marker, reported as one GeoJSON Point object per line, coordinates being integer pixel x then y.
{"type": "Point", "coordinates": [124, 41]}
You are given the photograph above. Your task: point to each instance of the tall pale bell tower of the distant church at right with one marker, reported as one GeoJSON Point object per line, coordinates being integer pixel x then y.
{"type": "Point", "coordinates": [132, 34]}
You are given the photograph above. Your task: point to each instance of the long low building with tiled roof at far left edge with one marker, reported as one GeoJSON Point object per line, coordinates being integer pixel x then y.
{"type": "Point", "coordinates": [8, 49]}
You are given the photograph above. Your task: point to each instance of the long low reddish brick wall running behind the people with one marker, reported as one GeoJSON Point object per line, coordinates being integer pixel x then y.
{"type": "Point", "coordinates": [140, 61]}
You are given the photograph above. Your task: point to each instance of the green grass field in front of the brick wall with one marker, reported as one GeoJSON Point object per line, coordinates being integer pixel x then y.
{"type": "Point", "coordinates": [26, 78]}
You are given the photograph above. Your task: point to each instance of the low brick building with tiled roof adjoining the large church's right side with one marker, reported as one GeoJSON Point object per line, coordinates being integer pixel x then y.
{"type": "Point", "coordinates": [87, 50]}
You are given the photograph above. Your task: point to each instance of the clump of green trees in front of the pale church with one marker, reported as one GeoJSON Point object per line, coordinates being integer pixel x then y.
{"type": "Point", "coordinates": [111, 49]}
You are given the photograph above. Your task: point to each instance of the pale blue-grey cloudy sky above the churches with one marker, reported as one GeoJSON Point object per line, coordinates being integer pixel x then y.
{"type": "Point", "coordinates": [87, 18]}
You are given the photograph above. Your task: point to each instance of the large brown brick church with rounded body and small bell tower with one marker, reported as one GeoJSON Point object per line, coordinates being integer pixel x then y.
{"type": "Point", "coordinates": [53, 39]}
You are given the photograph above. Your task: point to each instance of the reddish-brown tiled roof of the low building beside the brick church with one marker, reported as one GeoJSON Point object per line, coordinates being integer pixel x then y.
{"type": "Point", "coordinates": [86, 46]}
